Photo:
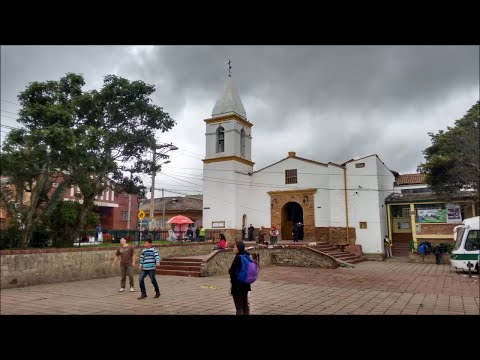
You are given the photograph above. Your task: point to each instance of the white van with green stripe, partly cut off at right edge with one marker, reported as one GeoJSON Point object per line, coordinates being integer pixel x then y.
{"type": "Point", "coordinates": [466, 251]}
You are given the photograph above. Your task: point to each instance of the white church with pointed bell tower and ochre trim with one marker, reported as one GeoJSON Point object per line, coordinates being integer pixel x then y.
{"type": "Point", "coordinates": [327, 198]}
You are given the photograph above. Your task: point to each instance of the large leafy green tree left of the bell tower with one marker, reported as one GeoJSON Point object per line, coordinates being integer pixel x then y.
{"type": "Point", "coordinates": [89, 138]}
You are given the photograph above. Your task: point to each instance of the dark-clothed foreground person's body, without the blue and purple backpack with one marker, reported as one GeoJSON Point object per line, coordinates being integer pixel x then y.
{"type": "Point", "coordinates": [239, 290]}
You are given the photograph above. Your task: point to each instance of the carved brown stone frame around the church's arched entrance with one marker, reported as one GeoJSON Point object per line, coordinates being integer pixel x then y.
{"type": "Point", "coordinates": [304, 197]}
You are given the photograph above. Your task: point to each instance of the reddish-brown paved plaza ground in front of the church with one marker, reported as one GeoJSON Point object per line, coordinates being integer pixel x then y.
{"type": "Point", "coordinates": [390, 287]}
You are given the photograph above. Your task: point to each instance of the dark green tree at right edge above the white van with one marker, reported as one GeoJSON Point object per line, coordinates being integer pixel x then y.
{"type": "Point", "coordinates": [452, 161]}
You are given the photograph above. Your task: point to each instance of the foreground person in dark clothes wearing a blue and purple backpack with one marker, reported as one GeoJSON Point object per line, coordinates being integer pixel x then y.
{"type": "Point", "coordinates": [243, 272]}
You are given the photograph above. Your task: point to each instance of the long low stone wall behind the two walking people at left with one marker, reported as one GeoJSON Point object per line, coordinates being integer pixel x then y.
{"type": "Point", "coordinates": [40, 266]}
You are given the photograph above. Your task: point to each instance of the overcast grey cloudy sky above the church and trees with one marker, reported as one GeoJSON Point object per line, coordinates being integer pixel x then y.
{"type": "Point", "coordinates": [327, 103]}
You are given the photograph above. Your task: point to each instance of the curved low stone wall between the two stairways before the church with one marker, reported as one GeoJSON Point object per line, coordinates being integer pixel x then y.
{"type": "Point", "coordinates": [220, 261]}
